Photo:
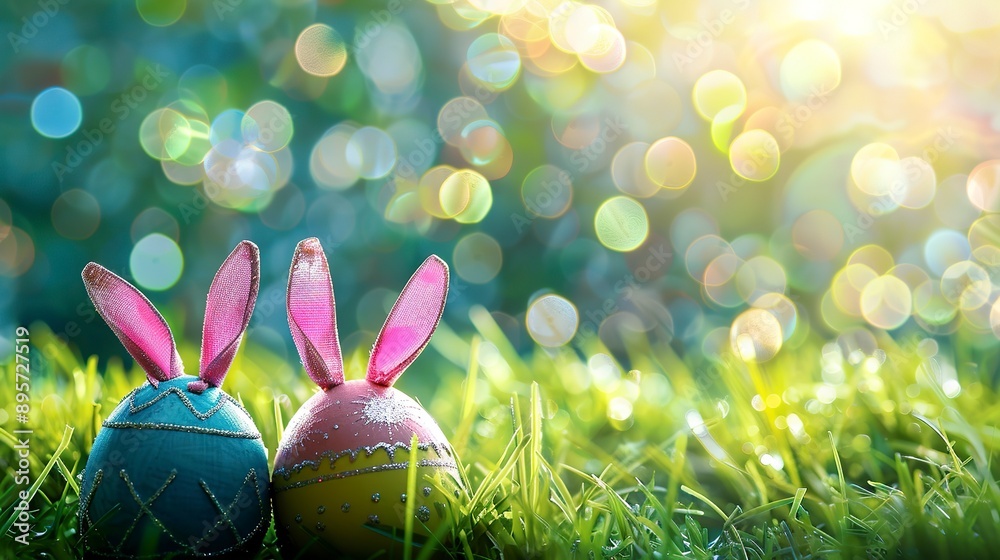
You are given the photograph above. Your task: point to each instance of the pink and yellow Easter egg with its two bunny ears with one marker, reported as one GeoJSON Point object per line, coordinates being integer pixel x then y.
{"type": "Point", "coordinates": [340, 473]}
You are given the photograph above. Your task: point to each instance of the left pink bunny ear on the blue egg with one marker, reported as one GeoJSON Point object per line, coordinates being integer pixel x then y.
{"type": "Point", "coordinates": [136, 322]}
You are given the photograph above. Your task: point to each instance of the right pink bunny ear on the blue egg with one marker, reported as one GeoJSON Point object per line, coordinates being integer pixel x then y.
{"type": "Point", "coordinates": [227, 314]}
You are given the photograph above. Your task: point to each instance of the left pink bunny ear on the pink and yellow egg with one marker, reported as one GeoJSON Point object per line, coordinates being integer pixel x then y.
{"type": "Point", "coordinates": [312, 314]}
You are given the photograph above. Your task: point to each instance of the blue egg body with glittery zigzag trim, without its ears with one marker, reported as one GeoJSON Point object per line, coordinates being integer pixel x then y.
{"type": "Point", "coordinates": [173, 471]}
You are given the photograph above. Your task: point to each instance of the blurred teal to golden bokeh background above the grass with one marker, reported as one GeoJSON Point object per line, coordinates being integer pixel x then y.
{"type": "Point", "coordinates": [715, 175]}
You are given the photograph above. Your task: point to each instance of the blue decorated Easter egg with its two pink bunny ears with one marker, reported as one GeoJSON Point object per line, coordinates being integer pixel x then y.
{"type": "Point", "coordinates": [178, 468]}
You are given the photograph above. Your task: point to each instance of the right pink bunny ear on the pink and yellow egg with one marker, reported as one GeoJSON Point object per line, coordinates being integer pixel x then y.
{"type": "Point", "coordinates": [411, 322]}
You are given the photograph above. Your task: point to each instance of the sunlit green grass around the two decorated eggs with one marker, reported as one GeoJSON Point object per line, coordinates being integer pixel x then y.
{"type": "Point", "coordinates": [809, 455]}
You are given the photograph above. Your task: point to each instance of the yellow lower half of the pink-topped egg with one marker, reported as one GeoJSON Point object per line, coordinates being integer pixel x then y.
{"type": "Point", "coordinates": [345, 506]}
